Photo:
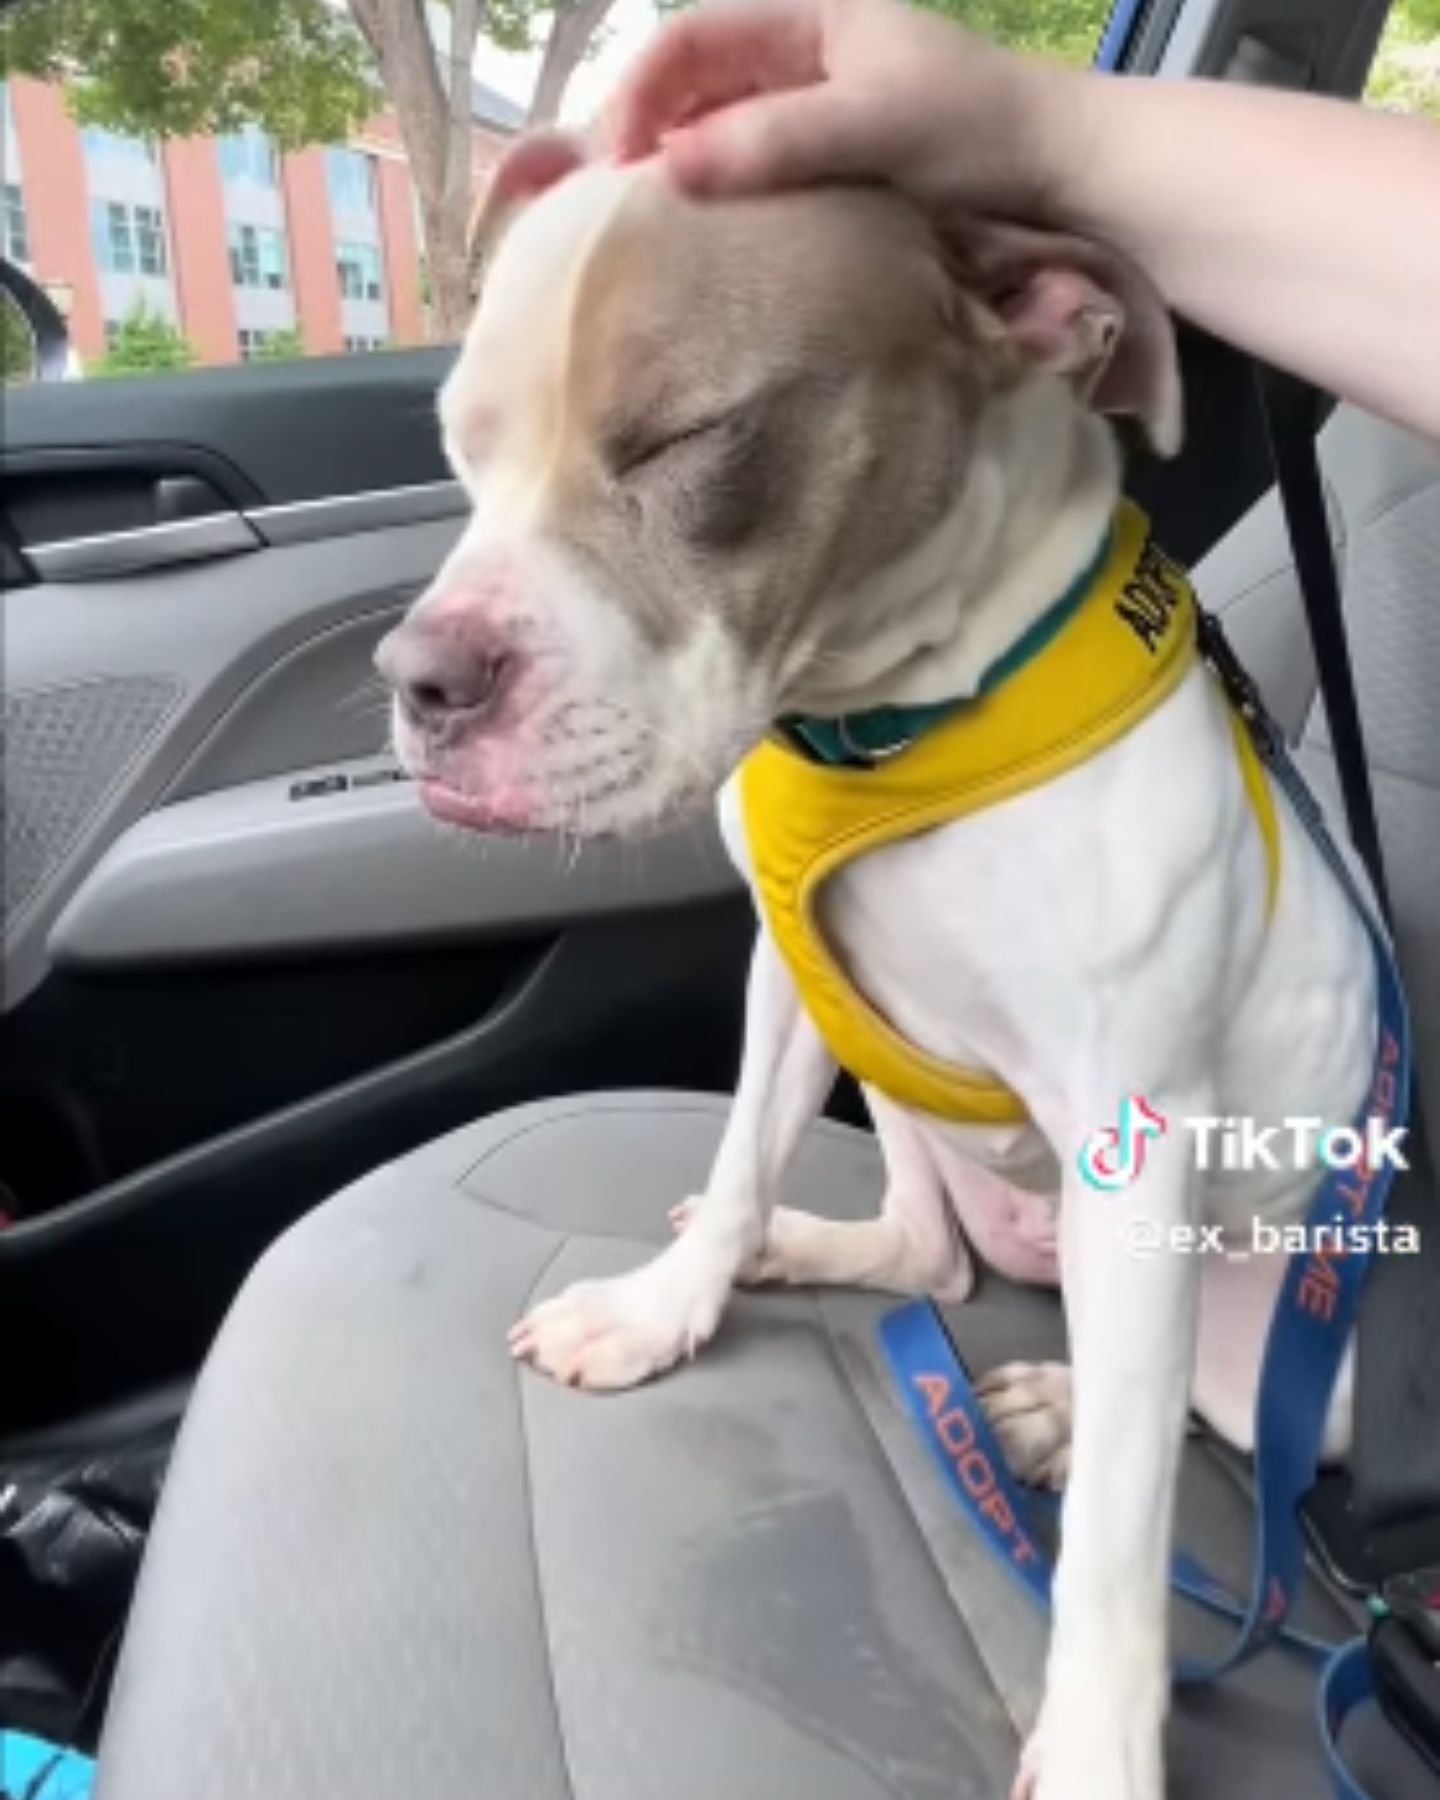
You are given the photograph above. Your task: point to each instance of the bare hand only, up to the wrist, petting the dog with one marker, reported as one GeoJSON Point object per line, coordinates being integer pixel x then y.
{"type": "Point", "coordinates": [748, 96]}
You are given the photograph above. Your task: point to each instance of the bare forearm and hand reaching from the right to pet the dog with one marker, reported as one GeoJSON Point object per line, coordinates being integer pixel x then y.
{"type": "Point", "coordinates": [1324, 265]}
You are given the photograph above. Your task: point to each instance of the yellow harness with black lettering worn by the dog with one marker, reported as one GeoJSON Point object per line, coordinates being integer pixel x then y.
{"type": "Point", "coordinates": [1111, 654]}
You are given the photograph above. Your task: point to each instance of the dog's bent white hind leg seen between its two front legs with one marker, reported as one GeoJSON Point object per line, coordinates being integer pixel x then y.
{"type": "Point", "coordinates": [913, 1248]}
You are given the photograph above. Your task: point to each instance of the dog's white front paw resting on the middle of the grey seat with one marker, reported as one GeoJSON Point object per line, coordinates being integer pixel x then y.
{"type": "Point", "coordinates": [620, 1333]}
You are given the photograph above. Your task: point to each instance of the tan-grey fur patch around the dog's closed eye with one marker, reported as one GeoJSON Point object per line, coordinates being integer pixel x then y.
{"type": "Point", "coordinates": [768, 404]}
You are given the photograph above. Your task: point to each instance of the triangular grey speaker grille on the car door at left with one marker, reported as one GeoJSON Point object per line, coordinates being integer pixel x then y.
{"type": "Point", "coordinates": [66, 751]}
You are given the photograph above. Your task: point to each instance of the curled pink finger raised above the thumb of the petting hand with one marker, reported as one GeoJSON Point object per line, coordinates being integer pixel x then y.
{"type": "Point", "coordinates": [712, 58]}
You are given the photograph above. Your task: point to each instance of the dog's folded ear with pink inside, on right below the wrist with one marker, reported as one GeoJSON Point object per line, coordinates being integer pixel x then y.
{"type": "Point", "coordinates": [1083, 312]}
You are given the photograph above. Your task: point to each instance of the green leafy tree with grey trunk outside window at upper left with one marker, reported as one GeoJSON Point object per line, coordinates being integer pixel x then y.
{"type": "Point", "coordinates": [309, 73]}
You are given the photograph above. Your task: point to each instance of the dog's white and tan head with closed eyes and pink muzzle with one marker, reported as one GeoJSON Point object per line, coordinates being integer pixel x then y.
{"type": "Point", "coordinates": [701, 440]}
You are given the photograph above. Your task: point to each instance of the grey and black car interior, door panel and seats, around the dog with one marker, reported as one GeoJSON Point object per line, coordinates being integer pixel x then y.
{"type": "Point", "coordinates": [307, 1101]}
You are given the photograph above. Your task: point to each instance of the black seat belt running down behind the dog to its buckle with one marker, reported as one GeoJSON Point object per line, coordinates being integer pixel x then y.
{"type": "Point", "coordinates": [1398, 1374]}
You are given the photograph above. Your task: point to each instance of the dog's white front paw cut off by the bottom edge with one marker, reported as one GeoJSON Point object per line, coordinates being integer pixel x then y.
{"type": "Point", "coordinates": [1093, 1749]}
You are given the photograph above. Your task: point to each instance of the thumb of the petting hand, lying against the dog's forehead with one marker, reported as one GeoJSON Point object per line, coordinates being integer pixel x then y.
{"type": "Point", "coordinates": [780, 141]}
